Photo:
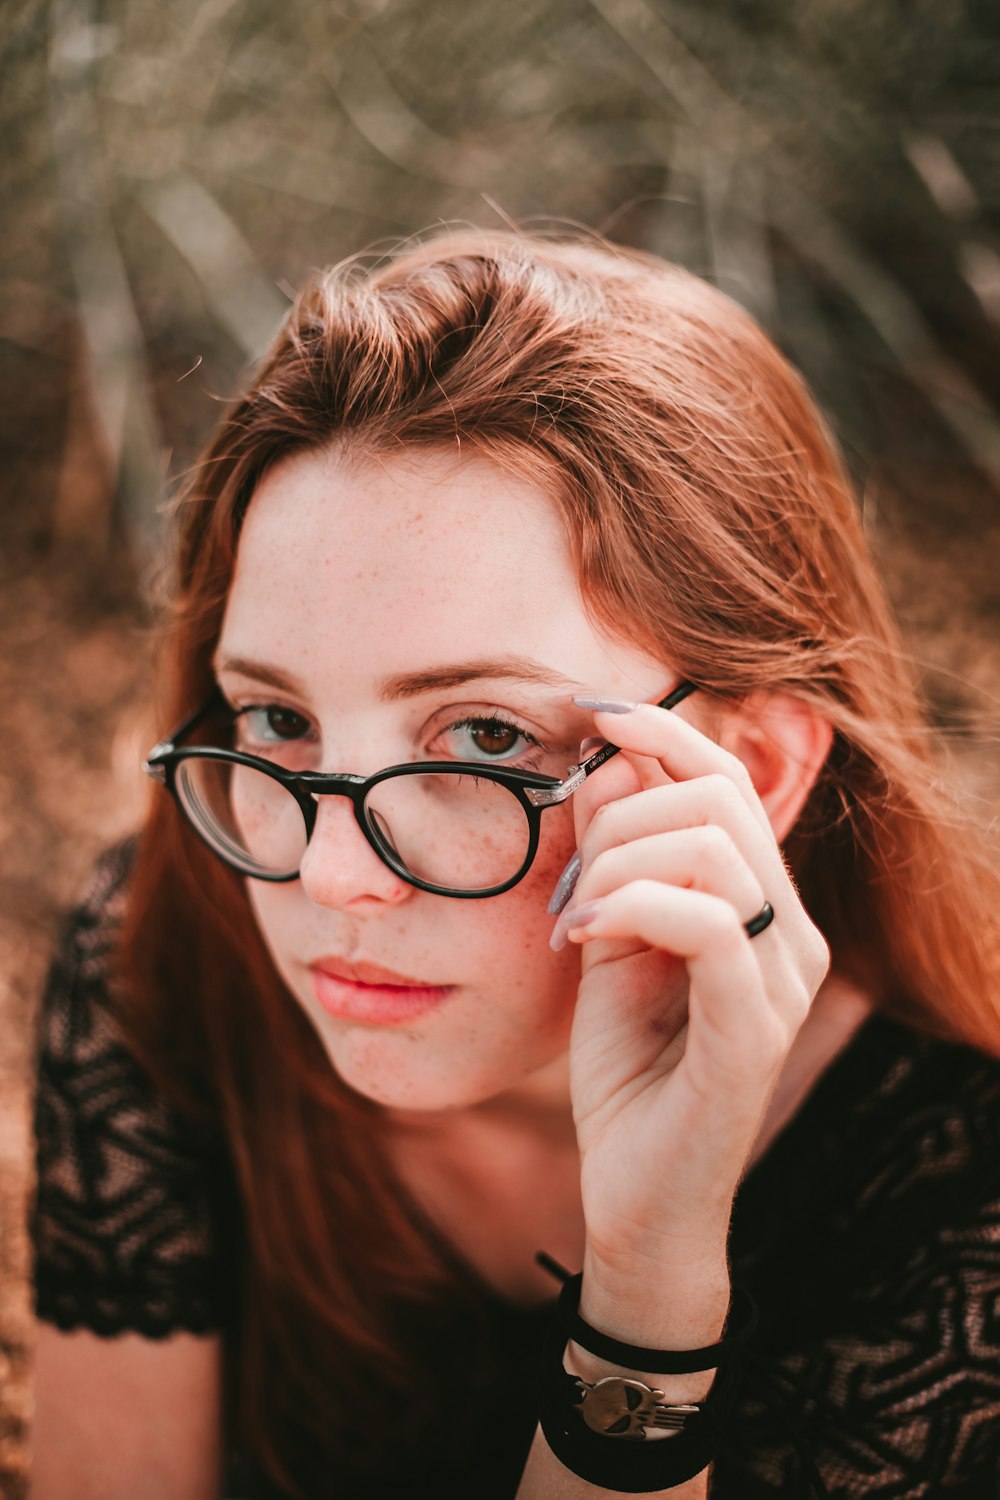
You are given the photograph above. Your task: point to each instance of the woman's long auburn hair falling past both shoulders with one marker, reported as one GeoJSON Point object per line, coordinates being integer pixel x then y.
{"type": "Point", "coordinates": [711, 524]}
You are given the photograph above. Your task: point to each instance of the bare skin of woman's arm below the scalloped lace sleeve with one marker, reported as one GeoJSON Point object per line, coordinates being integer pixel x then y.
{"type": "Point", "coordinates": [121, 1418]}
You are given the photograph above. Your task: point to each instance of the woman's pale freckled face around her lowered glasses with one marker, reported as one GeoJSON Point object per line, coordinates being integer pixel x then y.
{"type": "Point", "coordinates": [410, 608]}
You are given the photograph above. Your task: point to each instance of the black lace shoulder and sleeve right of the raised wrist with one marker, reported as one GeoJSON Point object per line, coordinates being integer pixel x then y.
{"type": "Point", "coordinates": [872, 1240]}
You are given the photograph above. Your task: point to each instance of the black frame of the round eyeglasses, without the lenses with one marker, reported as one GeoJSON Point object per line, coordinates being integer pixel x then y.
{"type": "Point", "coordinates": [533, 790]}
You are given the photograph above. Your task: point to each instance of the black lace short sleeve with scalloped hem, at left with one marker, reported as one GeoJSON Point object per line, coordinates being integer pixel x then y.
{"type": "Point", "coordinates": [133, 1207]}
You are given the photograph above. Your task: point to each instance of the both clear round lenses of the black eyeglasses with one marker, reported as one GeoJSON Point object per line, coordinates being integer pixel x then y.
{"type": "Point", "coordinates": [452, 830]}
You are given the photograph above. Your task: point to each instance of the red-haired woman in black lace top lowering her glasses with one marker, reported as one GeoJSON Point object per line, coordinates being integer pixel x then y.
{"type": "Point", "coordinates": [326, 1064]}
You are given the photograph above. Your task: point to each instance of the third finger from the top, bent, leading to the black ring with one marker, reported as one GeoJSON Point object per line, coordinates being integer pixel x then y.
{"type": "Point", "coordinates": [701, 859]}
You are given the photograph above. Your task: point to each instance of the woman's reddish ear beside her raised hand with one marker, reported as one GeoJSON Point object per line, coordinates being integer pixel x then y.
{"type": "Point", "coordinates": [783, 743]}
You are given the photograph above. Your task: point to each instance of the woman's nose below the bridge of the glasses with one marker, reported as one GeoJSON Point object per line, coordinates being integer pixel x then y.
{"type": "Point", "coordinates": [341, 869]}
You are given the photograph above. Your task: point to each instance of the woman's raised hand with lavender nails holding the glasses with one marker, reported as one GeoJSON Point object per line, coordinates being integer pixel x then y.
{"type": "Point", "coordinates": [683, 1021]}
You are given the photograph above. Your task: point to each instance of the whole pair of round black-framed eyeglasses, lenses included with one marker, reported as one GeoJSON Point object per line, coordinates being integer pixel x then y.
{"type": "Point", "coordinates": [448, 827]}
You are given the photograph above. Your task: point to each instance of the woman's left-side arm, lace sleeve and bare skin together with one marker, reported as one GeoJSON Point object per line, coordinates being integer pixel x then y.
{"type": "Point", "coordinates": [125, 1249]}
